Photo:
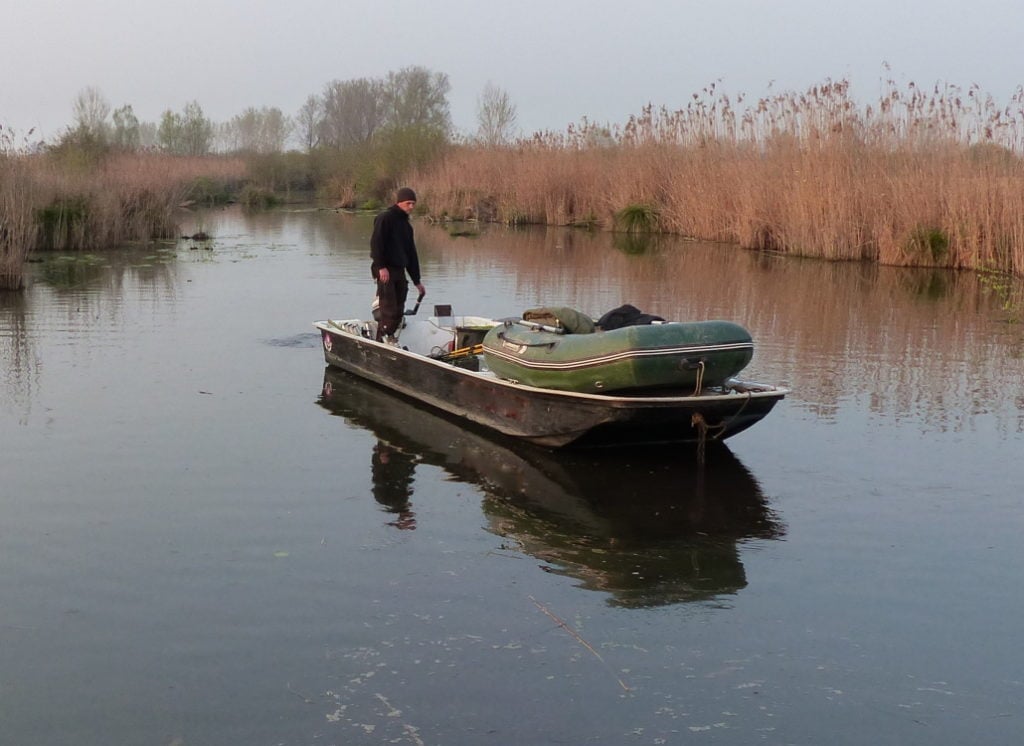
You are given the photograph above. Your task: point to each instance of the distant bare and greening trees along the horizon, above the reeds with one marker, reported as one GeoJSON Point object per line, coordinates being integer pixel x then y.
{"type": "Point", "coordinates": [354, 137]}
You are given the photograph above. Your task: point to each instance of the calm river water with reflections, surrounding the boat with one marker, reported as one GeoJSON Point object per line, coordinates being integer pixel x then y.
{"type": "Point", "coordinates": [207, 539]}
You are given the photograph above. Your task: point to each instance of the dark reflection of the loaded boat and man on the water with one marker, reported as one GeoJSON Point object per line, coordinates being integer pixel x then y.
{"type": "Point", "coordinates": [649, 528]}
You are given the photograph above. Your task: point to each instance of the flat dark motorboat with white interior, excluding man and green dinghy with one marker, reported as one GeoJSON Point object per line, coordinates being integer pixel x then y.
{"type": "Point", "coordinates": [440, 361]}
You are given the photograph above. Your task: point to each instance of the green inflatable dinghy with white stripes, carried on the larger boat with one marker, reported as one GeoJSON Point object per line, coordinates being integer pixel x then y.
{"type": "Point", "coordinates": [665, 356]}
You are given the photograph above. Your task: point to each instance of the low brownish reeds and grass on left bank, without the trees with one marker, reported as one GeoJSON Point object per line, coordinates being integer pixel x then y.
{"type": "Point", "coordinates": [48, 203]}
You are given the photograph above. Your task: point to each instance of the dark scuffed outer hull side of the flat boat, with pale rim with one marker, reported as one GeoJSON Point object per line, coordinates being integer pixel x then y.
{"type": "Point", "coordinates": [549, 418]}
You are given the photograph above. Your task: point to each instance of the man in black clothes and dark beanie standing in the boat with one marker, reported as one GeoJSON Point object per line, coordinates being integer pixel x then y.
{"type": "Point", "coordinates": [393, 252]}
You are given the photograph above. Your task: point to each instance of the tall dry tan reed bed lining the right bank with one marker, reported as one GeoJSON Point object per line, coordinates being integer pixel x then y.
{"type": "Point", "coordinates": [920, 180]}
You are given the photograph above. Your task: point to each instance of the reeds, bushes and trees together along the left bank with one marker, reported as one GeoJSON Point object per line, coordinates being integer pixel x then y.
{"type": "Point", "coordinates": [111, 179]}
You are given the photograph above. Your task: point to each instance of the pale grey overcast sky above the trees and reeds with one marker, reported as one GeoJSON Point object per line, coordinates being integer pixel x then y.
{"type": "Point", "coordinates": [559, 60]}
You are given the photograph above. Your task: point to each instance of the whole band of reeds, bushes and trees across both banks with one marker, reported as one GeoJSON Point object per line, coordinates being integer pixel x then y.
{"type": "Point", "coordinates": [918, 179]}
